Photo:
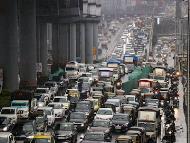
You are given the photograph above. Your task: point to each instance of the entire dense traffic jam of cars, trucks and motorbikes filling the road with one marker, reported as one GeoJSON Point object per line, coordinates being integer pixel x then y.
{"type": "Point", "coordinates": [90, 104]}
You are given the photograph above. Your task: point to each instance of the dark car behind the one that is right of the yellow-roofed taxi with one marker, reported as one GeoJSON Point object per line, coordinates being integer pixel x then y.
{"type": "Point", "coordinates": [80, 120]}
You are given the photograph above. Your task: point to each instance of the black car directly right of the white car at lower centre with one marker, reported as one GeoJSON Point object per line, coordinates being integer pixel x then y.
{"type": "Point", "coordinates": [121, 122]}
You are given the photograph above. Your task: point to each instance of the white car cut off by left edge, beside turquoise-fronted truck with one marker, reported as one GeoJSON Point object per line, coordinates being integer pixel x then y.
{"type": "Point", "coordinates": [9, 112]}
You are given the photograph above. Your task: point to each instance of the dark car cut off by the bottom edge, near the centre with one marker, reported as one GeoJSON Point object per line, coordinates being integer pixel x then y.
{"type": "Point", "coordinates": [95, 137]}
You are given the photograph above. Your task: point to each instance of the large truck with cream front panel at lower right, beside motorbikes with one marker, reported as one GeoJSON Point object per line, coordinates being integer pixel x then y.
{"type": "Point", "coordinates": [149, 118]}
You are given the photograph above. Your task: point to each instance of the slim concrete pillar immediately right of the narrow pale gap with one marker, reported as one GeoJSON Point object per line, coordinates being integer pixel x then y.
{"type": "Point", "coordinates": [55, 50]}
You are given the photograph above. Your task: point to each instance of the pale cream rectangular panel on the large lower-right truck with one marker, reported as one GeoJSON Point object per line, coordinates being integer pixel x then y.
{"type": "Point", "coordinates": [147, 116]}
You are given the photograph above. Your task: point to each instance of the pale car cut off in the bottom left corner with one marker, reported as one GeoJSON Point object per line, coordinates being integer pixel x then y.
{"type": "Point", "coordinates": [7, 137]}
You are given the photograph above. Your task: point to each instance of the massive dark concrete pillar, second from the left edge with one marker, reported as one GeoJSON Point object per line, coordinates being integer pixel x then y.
{"type": "Point", "coordinates": [28, 43]}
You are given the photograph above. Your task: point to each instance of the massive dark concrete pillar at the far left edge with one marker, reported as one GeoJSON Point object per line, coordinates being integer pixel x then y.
{"type": "Point", "coordinates": [9, 43]}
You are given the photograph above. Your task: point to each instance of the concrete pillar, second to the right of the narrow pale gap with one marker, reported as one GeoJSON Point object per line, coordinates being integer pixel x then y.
{"type": "Point", "coordinates": [63, 43]}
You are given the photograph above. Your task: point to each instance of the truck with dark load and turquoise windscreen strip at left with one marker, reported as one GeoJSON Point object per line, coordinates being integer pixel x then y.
{"type": "Point", "coordinates": [25, 102]}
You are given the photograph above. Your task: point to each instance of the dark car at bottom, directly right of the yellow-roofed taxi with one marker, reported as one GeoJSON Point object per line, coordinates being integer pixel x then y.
{"type": "Point", "coordinates": [65, 132]}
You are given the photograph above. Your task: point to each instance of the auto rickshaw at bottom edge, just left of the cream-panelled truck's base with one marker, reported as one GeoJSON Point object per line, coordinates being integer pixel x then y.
{"type": "Point", "coordinates": [136, 136]}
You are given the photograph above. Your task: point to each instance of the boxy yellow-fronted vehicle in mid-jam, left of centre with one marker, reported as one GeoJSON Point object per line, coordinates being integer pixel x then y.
{"type": "Point", "coordinates": [73, 95]}
